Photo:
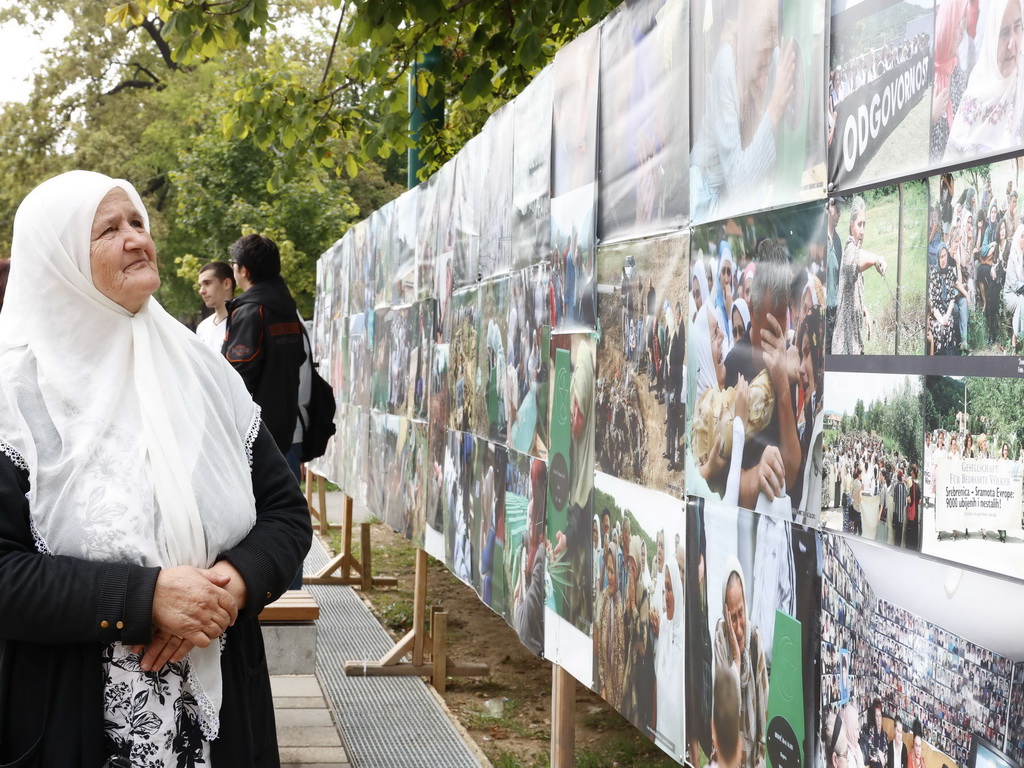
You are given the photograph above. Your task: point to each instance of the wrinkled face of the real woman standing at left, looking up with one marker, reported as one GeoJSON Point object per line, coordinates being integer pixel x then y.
{"type": "Point", "coordinates": [122, 257]}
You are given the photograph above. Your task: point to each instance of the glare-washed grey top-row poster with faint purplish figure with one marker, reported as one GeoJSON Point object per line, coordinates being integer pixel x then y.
{"type": "Point", "coordinates": [645, 57]}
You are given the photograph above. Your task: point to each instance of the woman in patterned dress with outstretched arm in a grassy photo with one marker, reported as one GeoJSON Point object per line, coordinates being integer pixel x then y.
{"type": "Point", "coordinates": [851, 313]}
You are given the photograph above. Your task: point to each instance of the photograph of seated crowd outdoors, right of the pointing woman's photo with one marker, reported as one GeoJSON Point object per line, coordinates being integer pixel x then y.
{"type": "Point", "coordinates": [976, 262]}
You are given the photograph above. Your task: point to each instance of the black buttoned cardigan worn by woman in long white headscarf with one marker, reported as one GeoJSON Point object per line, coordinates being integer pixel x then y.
{"type": "Point", "coordinates": [52, 689]}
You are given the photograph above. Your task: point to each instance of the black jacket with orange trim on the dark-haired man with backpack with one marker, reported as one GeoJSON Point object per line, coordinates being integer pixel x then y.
{"type": "Point", "coordinates": [265, 345]}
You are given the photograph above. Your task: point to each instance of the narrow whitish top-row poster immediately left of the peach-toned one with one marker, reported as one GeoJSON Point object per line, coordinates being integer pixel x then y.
{"type": "Point", "coordinates": [532, 173]}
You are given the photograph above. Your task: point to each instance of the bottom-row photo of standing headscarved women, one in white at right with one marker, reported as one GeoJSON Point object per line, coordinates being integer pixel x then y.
{"type": "Point", "coordinates": [639, 609]}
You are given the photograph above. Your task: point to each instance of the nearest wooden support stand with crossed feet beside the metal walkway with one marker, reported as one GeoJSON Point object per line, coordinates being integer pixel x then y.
{"type": "Point", "coordinates": [417, 645]}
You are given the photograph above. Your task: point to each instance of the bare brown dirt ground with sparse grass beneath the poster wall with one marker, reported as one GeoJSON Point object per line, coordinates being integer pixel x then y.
{"type": "Point", "coordinates": [507, 714]}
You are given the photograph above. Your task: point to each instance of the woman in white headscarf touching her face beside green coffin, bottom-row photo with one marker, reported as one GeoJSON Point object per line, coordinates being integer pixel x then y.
{"type": "Point", "coordinates": [739, 645]}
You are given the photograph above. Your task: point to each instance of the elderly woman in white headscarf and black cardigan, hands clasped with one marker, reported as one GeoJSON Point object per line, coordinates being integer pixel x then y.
{"type": "Point", "coordinates": [149, 516]}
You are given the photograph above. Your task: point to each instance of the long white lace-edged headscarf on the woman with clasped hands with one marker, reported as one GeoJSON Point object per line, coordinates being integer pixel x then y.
{"type": "Point", "coordinates": [137, 437]}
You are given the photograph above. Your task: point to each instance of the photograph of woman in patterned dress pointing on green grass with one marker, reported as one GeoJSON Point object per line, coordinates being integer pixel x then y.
{"type": "Point", "coordinates": [876, 271]}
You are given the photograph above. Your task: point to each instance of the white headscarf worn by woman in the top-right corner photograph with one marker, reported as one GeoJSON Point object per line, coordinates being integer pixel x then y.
{"type": "Point", "coordinates": [990, 114]}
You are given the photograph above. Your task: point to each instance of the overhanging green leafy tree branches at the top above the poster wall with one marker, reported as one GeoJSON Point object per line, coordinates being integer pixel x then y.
{"type": "Point", "coordinates": [359, 93]}
